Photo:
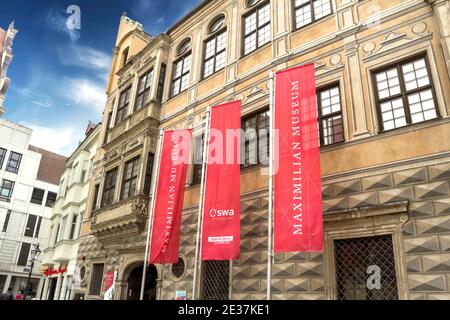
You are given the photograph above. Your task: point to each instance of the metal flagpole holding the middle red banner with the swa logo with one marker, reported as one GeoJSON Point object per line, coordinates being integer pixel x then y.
{"type": "Point", "coordinates": [200, 210]}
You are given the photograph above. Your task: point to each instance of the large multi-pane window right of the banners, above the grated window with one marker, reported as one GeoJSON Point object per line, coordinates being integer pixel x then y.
{"type": "Point", "coordinates": [405, 94]}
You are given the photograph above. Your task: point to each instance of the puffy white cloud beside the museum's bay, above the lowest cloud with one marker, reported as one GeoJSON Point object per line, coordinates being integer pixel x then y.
{"type": "Point", "coordinates": [85, 93]}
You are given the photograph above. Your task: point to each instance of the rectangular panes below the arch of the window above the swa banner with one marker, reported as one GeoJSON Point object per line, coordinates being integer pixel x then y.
{"type": "Point", "coordinates": [215, 54]}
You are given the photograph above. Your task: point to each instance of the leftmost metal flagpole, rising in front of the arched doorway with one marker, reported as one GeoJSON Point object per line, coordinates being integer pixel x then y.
{"type": "Point", "coordinates": [150, 215]}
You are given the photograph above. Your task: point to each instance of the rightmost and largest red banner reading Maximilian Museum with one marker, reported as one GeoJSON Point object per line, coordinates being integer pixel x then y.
{"type": "Point", "coordinates": [298, 223]}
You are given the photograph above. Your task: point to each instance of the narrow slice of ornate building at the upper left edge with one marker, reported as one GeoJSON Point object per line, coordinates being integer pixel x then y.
{"type": "Point", "coordinates": [6, 41]}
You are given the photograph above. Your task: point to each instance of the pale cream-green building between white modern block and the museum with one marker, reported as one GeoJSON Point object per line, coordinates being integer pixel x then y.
{"type": "Point", "coordinates": [60, 256]}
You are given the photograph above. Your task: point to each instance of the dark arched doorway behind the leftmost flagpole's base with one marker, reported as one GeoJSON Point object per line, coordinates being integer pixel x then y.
{"type": "Point", "coordinates": [135, 280]}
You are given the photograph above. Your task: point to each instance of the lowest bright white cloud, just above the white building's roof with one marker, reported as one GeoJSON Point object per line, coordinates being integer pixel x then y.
{"type": "Point", "coordinates": [62, 140]}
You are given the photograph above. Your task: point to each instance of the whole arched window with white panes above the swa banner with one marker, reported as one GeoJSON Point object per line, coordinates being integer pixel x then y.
{"type": "Point", "coordinates": [215, 47]}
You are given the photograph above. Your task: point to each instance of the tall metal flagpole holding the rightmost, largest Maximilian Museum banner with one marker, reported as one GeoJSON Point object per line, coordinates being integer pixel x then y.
{"type": "Point", "coordinates": [270, 213]}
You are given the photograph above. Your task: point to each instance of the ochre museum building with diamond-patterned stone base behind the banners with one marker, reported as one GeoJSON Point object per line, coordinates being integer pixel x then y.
{"type": "Point", "coordinates": [382, 70]}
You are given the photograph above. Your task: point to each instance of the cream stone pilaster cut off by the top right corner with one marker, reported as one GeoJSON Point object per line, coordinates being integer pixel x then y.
{"type": "Point", "coordinates": [441, 9]}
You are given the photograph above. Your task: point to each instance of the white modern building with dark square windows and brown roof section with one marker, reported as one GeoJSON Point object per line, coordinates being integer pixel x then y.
{"type": "Point", "coordinates": [29, 178]}
